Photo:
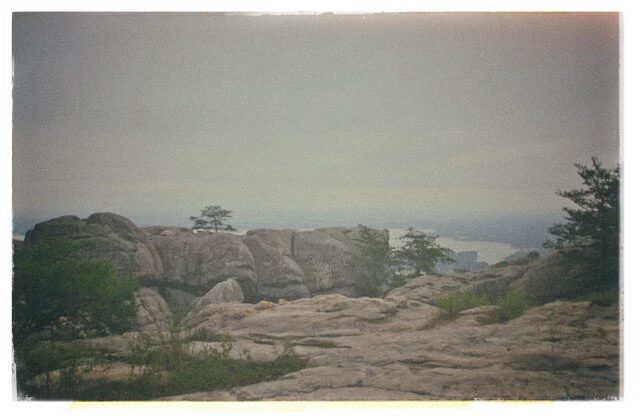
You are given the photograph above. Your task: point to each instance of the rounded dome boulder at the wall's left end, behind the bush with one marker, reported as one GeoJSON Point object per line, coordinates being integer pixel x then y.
{"type": "Point", "coordinates": [113, 238]}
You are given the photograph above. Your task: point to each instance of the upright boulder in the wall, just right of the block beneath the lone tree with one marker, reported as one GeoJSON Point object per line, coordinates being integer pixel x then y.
{"type": "Point", "coordinates": [278, 275]}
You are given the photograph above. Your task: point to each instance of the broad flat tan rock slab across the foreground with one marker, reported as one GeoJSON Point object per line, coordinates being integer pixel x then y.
{"type": "Point", "coordinates": [364, 349]}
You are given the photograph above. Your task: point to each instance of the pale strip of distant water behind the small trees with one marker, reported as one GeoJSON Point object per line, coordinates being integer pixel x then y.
{"type": "Point", "coordinates": [489, 251]}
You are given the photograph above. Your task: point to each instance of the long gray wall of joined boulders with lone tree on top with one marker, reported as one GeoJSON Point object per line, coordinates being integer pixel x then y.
{"type": "Point", "coordinates": [183, 265]}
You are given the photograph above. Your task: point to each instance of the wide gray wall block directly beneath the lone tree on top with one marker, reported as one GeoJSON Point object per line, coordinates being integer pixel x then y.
{"type": "Point", "coordinates": [197, 262]}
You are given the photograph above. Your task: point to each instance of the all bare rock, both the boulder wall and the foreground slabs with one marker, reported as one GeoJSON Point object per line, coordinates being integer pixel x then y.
{"type": "Point", "coordinates": [394, 348]}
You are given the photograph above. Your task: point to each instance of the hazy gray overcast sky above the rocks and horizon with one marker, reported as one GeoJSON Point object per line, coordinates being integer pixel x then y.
{"type": "Point", "coordinates": [334, 119]}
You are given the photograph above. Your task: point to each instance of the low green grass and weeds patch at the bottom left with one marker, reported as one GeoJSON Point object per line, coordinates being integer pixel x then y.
{"type": "Point", "coordinates": [158, 368]}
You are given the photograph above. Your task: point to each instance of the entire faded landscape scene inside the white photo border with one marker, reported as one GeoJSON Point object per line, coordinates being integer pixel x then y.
{"type": "Point", "coordinates": [233, 207]}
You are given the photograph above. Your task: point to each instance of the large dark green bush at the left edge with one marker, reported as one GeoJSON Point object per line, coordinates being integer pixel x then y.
{"type": "Point", "coordinates": [53, 289]}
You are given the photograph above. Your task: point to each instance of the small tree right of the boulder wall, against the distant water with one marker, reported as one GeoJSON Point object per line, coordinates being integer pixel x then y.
{"type": "Point", "coordinates": [421, 252]}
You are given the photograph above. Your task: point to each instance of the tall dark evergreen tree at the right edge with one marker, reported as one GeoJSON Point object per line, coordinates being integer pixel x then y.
{"type": "Point", "coordinates": [590, 236]}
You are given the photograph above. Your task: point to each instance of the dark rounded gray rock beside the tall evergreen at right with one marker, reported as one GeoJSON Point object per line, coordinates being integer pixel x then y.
{"type": "Point", "coordinates": [549, 278]}
